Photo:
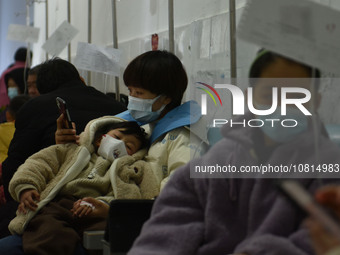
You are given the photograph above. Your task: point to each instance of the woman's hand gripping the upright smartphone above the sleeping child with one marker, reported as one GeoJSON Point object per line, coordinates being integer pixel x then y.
{"type": "Point", "coordinates": [64, 135]}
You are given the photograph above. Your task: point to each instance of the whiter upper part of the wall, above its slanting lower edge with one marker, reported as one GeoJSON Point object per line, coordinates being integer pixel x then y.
{"type": "Point", "coordinates": [136, 18]}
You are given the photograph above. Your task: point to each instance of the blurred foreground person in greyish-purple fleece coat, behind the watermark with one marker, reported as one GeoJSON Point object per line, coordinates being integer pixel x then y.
{"type": "Point", "coordinates": [241, 215]}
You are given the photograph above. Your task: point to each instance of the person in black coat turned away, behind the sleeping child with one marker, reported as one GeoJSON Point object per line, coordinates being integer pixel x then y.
{"type": "Point", "coordinates": [36, 121]}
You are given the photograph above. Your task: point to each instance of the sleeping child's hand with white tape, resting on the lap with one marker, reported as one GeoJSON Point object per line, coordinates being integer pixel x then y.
{"type": "Point", "coordinates": [89, 206]}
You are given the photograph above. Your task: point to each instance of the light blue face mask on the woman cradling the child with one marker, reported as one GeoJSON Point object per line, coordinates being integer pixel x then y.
{"type": "Point", "coordinates": [141, 109]}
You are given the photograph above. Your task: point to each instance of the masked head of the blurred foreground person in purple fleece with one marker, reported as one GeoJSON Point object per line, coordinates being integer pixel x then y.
{"type": "Point", "coordinates": [264, 74]}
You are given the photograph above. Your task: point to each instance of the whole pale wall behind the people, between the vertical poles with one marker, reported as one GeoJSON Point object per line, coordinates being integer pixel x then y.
{"type": "Point", "coordinates": [201, 35]}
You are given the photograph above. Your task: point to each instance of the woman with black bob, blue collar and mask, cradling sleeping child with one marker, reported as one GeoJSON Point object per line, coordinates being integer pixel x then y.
{"type": "Point", "coordinates": [157, 81]}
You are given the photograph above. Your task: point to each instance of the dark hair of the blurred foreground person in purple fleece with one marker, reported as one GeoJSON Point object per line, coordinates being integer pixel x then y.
{"type": "Point", "coordinates": [265, 58]}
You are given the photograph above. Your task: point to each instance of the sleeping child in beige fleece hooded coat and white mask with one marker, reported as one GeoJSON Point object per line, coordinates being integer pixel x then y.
{"type": "Point", "coordinates": [51, 182]}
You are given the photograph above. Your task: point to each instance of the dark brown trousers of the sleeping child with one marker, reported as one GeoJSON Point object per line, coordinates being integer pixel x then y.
{"type": "Point", "coordinates": [54, 230]}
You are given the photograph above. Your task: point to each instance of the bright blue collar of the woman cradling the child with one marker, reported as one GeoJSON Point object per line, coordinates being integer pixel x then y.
{"type": "Point", "coordinates": [183, 115]}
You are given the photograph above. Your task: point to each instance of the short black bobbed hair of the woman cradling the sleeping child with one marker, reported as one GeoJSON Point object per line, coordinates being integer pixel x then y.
{"type": "Point", "coordinates": [159, 72]}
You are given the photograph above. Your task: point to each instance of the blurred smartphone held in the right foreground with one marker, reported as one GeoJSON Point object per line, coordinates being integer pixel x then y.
{"type": "Point", "coordinates": [304, 201]}
